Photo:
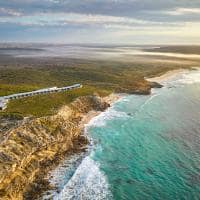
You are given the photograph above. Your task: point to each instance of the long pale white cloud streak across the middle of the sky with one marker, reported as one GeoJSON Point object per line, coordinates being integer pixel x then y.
{"type": "Point", "coordinates": [73, 18]}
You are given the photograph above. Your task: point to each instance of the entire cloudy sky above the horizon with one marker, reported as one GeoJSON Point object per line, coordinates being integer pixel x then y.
{"type": "Point", "coordinates": [100, 21]}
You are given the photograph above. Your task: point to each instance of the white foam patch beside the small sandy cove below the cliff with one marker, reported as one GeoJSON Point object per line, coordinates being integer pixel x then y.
{"type": "Point", "coordinates": [104, 117]}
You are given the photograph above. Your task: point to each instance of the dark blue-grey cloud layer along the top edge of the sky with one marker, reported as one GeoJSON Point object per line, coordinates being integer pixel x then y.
{"type": "Point", "coordinates": [131, 8]}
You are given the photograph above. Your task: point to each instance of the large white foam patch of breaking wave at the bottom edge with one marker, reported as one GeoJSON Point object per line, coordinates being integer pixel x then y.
{"type": "Point", "coordinates": [87, 183]}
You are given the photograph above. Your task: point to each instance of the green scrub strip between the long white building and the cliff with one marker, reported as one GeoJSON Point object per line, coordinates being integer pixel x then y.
{"type": "Point", "coordinates": [48, 104]}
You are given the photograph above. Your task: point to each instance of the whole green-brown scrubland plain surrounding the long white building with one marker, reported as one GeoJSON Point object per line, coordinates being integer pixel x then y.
{"type": "Point", "coordinates": [101, 77]}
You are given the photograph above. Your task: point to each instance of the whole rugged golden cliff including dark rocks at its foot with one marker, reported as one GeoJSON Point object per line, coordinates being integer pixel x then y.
{"type": "Point", "coordinates": [48, 140]}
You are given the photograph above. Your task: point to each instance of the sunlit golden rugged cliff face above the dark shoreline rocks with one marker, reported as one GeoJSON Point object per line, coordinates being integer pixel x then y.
{"type": "Point", "coordinates": [25, 148]}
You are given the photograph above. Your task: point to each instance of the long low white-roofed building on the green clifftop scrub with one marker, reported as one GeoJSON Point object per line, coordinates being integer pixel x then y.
{"type": "Point", "coordinates": [4, 99]}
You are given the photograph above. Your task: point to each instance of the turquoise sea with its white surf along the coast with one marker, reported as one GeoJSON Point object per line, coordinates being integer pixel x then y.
{"type": "Point", "coordinates": [145, 147]}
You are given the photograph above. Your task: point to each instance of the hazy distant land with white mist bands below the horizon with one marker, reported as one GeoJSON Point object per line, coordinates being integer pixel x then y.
{"type": "Point", "coordinates": [102, 52]}
